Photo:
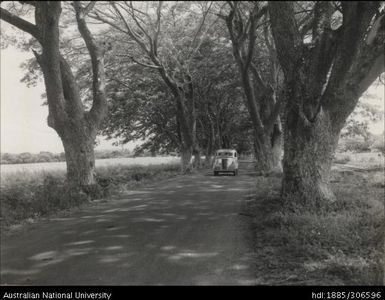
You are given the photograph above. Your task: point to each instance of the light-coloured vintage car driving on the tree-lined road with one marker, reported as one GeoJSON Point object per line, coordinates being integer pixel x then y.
{"type": "Point", "coordinates": [225, 161]}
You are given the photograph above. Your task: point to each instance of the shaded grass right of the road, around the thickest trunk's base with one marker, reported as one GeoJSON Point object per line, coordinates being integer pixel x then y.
{"type": "Point", "coordinates": [342, 244]}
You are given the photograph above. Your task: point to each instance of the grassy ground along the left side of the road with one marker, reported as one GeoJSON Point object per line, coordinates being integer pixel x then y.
{"type": "Point", "coordinates": [26, 196]}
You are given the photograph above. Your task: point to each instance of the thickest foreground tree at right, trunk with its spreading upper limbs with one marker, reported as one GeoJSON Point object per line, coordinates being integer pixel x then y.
{"type": "Point", "coordinates": [323, 81]}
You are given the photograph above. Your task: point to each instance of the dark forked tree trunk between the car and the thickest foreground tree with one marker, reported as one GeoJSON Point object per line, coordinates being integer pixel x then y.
{"type": "Point", "coordinates": [259, 96]}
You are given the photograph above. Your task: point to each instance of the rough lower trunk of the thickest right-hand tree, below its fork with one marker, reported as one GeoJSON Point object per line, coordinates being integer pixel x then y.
{"type": "Point", "coordinates": [308, 154]}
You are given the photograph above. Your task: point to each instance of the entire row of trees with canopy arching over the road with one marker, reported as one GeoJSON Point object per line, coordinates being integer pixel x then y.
{"type": "Point", "coordinates": [191, 77]}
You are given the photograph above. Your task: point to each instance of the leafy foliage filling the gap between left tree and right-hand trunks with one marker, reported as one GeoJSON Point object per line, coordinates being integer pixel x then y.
{"type": "Point", "coordinates": [141, 107]}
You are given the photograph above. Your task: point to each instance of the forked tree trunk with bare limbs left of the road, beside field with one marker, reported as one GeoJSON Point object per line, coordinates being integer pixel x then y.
{"type": "Point", "coordinates": [76, 127]}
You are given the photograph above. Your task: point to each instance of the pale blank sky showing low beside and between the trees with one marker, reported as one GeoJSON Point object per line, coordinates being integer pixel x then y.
{"type": "Point", "coordinates": [23, 118]}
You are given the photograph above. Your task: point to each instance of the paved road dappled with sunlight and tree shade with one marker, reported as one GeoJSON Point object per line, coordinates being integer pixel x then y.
{"type": "Point", "coordinates": [182, 231]}
